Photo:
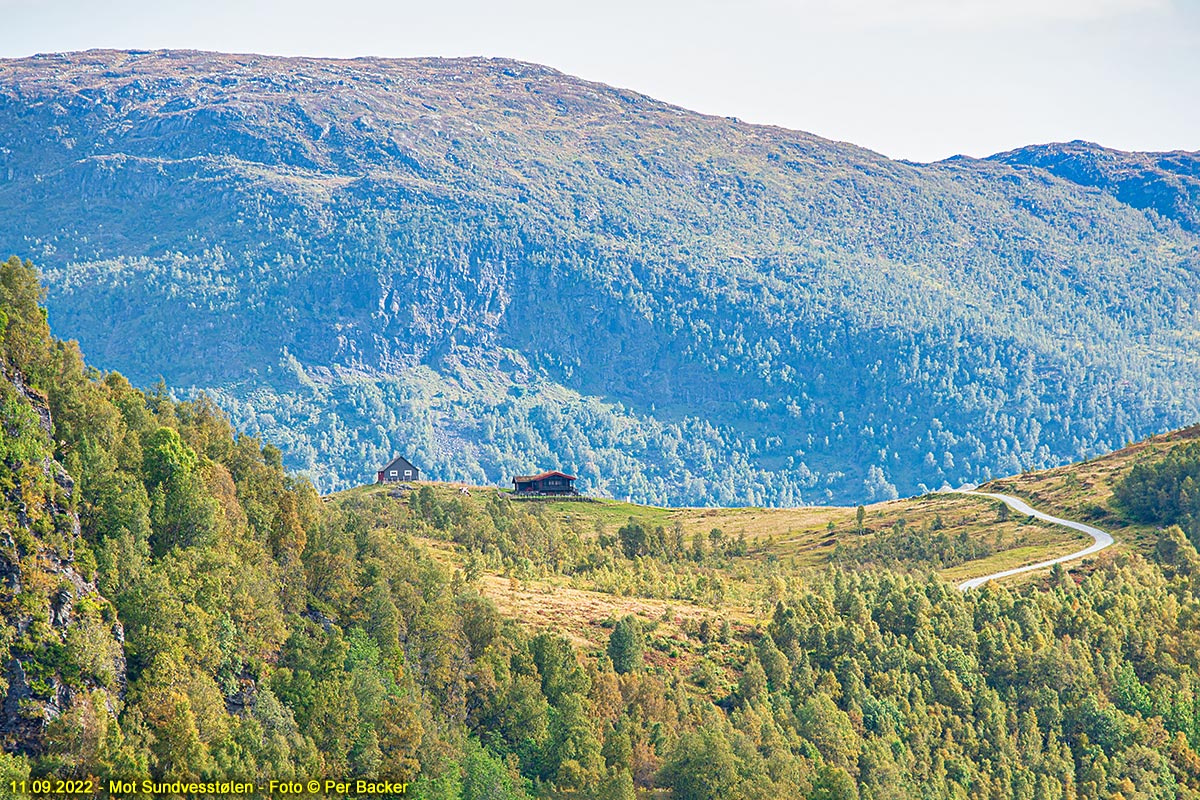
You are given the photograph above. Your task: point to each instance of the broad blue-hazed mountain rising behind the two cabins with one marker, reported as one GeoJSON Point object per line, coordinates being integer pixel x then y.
{"type": "Point", "coordinates": [490, 267]}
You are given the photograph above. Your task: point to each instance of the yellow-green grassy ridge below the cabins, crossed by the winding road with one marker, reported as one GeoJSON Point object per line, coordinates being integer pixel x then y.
{"type": "Point", "coordinates": [775, 549]}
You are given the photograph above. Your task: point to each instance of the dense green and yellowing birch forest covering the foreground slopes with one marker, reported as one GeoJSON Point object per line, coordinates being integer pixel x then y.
{"type": "Point", "coordinates": [178, 606]}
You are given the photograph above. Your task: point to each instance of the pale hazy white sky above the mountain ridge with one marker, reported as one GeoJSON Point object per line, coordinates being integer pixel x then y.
{"type": "Point", "coordinates": [920, 80]}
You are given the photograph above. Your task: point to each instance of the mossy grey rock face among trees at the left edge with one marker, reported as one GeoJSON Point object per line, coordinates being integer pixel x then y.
{"type": "Point", "coordinates": [47, 606]}
